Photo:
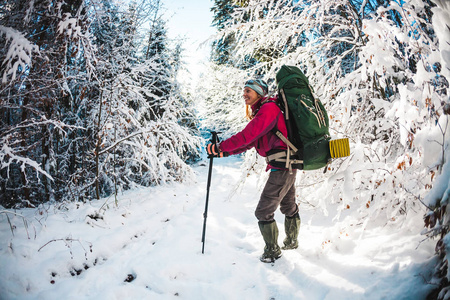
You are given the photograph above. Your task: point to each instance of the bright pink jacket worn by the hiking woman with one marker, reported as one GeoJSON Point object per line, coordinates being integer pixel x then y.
{"type": "Point", "coordinates": [258, 132]}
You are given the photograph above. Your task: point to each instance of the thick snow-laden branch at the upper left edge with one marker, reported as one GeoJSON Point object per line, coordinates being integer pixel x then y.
{"type": "Point", "coordinates": [19, 53]}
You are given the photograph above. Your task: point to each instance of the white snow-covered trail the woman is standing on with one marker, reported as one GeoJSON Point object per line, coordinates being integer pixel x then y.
{"type": "Point", "coordinates": [150, 248]}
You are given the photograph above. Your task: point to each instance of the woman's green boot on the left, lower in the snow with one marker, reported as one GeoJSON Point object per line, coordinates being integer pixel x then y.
{"type": "Point", "coordinates": [269, 231]}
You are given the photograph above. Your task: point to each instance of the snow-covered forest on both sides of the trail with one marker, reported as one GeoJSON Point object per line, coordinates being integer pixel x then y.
{"type": "Point", "coordinates": [91, 103]}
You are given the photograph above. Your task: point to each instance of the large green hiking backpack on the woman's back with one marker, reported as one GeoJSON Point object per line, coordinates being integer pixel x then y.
{"type": "Point", "coordinates": [306, 121]}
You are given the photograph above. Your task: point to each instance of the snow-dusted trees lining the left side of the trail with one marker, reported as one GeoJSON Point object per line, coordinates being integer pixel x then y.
{"type": "Point", "coordinates": [86, 113]}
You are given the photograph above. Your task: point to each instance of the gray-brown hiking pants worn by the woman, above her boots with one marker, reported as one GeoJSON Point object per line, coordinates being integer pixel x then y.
{"type": "Point", "coordinates": [279, 191]}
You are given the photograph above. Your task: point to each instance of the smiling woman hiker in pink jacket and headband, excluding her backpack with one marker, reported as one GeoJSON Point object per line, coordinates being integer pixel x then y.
{"type": "Point", "coordinates": [280, 187]}
